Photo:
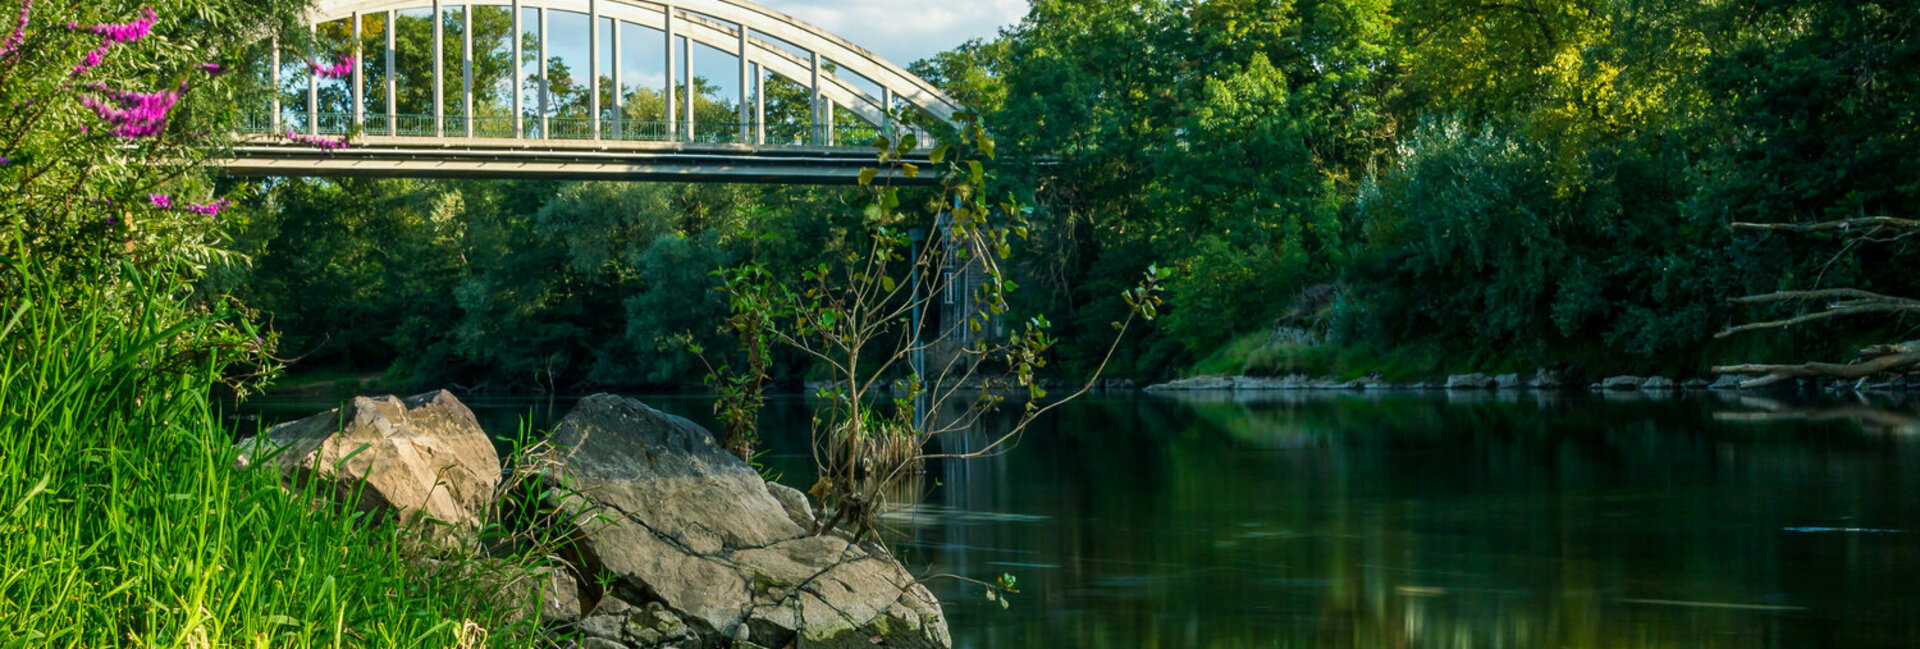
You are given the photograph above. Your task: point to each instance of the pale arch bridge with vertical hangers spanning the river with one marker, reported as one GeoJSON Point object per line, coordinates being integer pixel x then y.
{"type": "Point", "coordinates": [500, 97]}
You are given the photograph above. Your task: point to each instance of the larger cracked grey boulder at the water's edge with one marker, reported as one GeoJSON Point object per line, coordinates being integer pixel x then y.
{"type": "Point", "coordinates": [683, 523]}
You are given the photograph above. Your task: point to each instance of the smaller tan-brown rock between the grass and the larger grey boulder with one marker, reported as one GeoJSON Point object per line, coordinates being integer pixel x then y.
{"type": "Point", "coordinates": [423, 456]}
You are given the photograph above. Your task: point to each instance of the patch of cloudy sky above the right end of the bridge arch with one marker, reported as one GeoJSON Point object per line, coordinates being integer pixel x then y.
{"type": "Point", "coordinates": [905, 32]}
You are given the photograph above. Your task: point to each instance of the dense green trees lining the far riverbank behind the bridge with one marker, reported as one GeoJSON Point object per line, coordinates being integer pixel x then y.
{"type": "Point", "coordinates": [1514, 183]}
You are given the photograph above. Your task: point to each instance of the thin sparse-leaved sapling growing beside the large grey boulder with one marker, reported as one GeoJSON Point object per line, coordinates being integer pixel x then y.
{"type": "Point", "coordinates": [867, 320]}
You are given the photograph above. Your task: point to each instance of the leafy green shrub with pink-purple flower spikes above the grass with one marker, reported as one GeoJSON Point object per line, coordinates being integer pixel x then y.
{"type": "Point", "coordinates": [105, 116]}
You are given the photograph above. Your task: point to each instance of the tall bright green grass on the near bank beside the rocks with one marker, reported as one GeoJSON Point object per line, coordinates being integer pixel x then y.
{"type": "Point", "coordinates": [126, 525]}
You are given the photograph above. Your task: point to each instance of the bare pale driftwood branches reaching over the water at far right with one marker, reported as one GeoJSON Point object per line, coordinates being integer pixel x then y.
{"type": "Point", "coordinates": [1838, 302]}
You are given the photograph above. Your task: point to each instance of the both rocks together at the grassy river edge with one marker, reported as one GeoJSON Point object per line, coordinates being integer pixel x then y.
{"type": "Point", "coordinates": [686, 544]}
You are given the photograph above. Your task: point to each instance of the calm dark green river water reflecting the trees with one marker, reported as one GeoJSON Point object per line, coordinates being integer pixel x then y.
{"type": "Point", "coordinates": [1414, 521]}
